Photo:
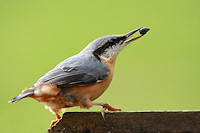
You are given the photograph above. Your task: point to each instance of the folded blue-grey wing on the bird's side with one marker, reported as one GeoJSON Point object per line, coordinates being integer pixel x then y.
{"type": "Point", "coordinates": [76, 70]}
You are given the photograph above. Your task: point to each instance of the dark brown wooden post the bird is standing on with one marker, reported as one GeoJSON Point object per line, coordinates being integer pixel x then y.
{"type": "Point", "coordinates": [129, 122]}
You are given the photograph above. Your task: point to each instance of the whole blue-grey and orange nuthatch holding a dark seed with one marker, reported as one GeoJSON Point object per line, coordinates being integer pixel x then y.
{"type": "Point", "coordinates": [82, 78]}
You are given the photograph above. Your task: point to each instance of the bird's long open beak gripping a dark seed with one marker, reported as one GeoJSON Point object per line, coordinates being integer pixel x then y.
{"type": "Point", "coordinates": [142, 31]}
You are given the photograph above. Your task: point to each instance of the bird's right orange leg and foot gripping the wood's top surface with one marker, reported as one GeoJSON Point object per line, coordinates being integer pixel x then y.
{"type": "Point", "coordinates": [106, 106]}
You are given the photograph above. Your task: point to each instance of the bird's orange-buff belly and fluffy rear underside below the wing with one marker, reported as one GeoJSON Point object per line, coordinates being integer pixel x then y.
{"type": "Point", "coordinates": [53, 98]}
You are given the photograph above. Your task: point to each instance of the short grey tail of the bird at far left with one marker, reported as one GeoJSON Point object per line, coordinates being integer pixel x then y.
{"type": "Point", "coordinates": [24, 94]}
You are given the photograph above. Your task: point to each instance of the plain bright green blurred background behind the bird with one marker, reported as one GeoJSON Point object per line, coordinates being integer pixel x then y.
{"type": "Point", "coordinates": [157, 72]}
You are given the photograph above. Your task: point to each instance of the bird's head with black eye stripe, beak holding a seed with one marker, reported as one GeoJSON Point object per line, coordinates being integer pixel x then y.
{"type": "Point", "coordinates": [109, 46]}
